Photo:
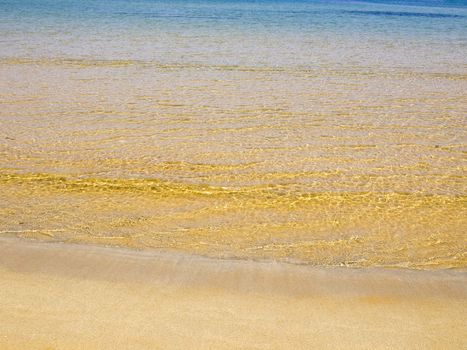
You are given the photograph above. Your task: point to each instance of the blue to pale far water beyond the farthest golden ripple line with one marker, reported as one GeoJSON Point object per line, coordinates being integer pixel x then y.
{"type": "Point", "coordinates": [253, 33]}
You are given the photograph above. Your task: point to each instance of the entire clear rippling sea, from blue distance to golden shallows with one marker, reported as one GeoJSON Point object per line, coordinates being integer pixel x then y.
{"type": "Point", "coordinates": [315, 132]}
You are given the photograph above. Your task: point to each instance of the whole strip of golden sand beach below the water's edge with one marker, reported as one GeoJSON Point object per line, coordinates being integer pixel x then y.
{"type": "Point", "coordinates": [64, 296]}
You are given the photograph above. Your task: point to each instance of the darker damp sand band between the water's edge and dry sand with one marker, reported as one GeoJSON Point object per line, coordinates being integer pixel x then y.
{"type": "Point", "coordinates": [121, 263]}
